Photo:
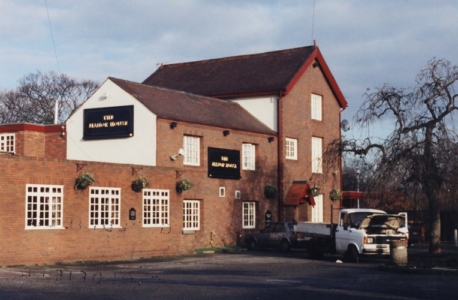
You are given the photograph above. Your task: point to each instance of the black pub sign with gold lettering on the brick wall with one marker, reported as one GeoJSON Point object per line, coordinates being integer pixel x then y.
{"type": "Point", "coordinates": [223, 163]}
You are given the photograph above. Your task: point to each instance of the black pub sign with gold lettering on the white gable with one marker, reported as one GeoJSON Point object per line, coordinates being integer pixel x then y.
{"type": "Point", "coordinates": [108, 122]}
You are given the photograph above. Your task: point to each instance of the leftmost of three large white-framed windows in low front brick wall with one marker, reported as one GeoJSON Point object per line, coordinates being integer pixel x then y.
{"type": "Point", "coordinates": [44, 206]}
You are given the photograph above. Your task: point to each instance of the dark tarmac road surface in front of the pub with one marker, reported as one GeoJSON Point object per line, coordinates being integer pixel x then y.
{"type": "Point", "coordinates": [238, 275]}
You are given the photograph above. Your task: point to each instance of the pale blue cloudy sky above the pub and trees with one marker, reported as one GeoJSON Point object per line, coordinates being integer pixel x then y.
{"type": "Point", "coordinates": [366, 43]}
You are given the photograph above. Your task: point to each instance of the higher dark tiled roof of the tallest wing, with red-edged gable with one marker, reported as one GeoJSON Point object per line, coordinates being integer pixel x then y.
{"type": "Point", "coordinates": [255, 73]}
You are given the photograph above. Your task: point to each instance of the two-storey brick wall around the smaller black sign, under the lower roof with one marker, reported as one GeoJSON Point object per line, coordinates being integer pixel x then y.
{"type": "Point", "coordinates": [222, 216]}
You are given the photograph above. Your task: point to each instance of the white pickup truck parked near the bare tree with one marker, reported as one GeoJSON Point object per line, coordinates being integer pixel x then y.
{"type": "Point", "coordinates": [357, 232]}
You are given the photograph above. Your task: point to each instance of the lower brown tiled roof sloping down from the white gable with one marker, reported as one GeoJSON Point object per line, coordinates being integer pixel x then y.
{"type": "Point", "coordinates": [186, 107]}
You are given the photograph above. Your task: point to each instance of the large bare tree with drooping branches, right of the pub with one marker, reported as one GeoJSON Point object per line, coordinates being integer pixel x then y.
{"type": "Point", "coordinates": [421, 150]}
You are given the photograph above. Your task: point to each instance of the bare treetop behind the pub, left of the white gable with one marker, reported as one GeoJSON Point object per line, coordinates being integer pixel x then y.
{"type": "Point", "coordinates": [35, 99]}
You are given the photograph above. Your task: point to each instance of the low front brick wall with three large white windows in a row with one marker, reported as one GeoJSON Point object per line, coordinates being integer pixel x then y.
{"type": "Point", "coordinates": [78, 242]}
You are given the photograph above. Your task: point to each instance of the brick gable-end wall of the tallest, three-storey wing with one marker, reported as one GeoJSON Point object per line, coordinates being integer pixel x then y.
{"type": "Point", "coordinates": [297, 123]}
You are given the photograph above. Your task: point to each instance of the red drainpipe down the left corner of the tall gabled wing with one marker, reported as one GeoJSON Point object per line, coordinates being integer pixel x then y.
{"type": "Point", "coordinates": [280, 150]}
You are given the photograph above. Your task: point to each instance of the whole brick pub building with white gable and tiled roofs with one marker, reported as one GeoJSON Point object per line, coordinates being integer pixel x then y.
{"type": "Point", "coordinates": [231, 126]}
